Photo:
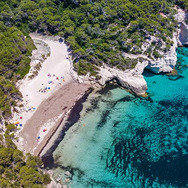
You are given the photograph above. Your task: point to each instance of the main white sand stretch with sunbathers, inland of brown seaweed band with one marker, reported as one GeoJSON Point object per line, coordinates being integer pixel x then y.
{"type": "Point", "coordinates": [57, 64]}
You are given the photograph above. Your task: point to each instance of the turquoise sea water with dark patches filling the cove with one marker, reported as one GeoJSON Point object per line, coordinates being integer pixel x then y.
{"type": "Point", "coordinates": [121, 140]}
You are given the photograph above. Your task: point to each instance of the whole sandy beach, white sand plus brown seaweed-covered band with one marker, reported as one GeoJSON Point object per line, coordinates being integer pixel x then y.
{"type": "Point", "coordinates": [47, 98]}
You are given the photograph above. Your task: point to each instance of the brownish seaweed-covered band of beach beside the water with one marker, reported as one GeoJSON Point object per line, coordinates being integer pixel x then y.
{"type": "Point", "coordinates": [50, 112]}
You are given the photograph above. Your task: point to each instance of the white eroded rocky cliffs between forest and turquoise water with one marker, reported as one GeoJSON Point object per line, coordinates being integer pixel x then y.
{"type": "Point", "coordinates": [133, 79]}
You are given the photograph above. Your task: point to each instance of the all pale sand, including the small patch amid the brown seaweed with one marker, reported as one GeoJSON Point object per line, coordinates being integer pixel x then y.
{"type": "Point", "coordinates": [53, 73]}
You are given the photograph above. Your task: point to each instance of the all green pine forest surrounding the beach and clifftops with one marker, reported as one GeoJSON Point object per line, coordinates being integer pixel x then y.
{"type": "Point", "coordinates": [97, 31]}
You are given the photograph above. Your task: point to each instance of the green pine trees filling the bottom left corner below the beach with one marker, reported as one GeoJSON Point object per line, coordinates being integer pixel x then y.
{"type": "Point", "coordinates": [17, 170]}
